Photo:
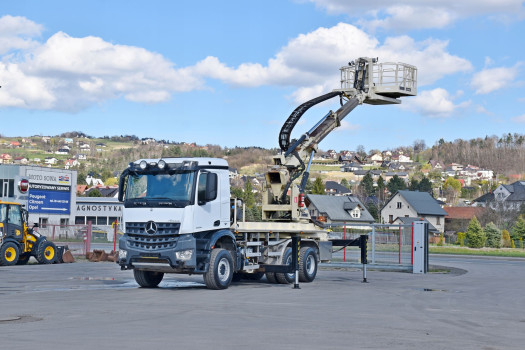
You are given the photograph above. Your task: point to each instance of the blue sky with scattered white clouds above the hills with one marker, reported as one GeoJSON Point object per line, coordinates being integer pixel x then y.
{"type": "Point", "coordinates": [229, 73]}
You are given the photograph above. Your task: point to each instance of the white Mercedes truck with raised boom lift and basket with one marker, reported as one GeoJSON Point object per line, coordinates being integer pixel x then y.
{"type": "Point", "coordinates": [179, 218]}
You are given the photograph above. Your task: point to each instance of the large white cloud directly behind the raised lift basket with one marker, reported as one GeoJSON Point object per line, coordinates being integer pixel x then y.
{"type": "Point", "coordinates": [313, 59]}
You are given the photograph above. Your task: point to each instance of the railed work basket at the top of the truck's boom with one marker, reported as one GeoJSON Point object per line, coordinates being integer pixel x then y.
{"type": "Point", "coordinates": [380, 83]}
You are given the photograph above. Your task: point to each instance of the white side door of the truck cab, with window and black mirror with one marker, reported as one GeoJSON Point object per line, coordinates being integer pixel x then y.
{"type": "Point", "coordinates": [207, 213]}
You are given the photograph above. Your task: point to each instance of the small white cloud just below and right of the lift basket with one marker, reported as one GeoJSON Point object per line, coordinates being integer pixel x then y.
{"type": "Point", "coordinates": [436, 103]}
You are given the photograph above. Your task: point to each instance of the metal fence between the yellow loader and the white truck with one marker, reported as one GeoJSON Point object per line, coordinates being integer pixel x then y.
{"type": "Point", "coordinates": [81, 239]}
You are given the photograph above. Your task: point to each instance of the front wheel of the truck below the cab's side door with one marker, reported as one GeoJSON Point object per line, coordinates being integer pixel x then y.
{"type": "Point", "coordinates": [220, 272]}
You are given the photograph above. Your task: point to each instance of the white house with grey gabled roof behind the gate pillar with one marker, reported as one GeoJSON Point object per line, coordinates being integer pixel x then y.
{"type": "Point", "coordinates": [414, 204]}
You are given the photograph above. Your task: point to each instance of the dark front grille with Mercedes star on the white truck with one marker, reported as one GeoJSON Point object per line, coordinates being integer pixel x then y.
{"type": "Point", "coordinates": [165, 237]}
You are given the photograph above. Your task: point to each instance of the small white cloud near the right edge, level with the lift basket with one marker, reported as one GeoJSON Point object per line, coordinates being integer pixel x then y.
{"type": "Point", "coordinates": [492, 79]}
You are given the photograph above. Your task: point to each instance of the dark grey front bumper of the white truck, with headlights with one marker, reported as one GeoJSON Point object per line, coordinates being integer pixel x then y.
{"type": "Point", "coordinates": [140, 255]}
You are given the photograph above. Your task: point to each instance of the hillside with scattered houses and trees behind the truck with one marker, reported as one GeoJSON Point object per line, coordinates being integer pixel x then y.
{"type": "Point", "coordinates": [366, 183]}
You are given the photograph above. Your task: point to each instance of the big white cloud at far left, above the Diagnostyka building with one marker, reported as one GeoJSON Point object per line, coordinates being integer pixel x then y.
{"type": "Point", "coordinates": [69, 74]}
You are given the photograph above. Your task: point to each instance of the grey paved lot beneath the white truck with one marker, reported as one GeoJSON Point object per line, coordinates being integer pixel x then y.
{"type": "Point", "coordinates": [95, 305]}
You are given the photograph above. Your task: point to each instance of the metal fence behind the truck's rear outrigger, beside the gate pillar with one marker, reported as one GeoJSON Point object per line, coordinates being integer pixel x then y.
{"type": "Point", "coordinates": [387, 244]}
